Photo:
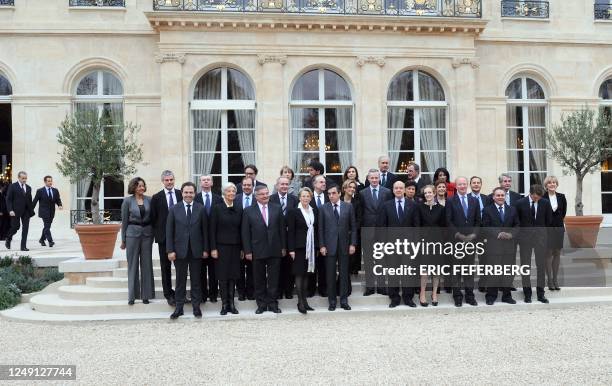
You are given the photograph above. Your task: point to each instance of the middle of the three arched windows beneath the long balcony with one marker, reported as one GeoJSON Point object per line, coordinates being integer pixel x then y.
{"type": "Point", "coordinates": [321, 123]}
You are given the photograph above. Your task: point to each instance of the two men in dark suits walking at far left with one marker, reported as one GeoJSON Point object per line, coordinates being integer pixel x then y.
{"type": "Point", "coordinates": [19, 207]}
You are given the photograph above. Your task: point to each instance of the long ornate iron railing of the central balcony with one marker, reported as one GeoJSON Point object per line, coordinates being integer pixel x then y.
{"type": "Point", "coordinates": [443, 8]}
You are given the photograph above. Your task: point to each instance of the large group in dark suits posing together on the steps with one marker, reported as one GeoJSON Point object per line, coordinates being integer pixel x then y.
{"type": "Point", "coordinates": [304, 240]}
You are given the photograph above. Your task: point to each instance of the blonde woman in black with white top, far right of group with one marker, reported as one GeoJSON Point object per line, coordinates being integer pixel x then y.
{"type": "Point", "coordinates": [556, 232]}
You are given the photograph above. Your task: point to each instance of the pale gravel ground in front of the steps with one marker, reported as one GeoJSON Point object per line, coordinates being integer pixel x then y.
{"type": "Point", "coordinates": [568, 346]}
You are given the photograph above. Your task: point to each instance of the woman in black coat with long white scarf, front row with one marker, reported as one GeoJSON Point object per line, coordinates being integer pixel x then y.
{"type": "Point", "coordinates": [301, 243]}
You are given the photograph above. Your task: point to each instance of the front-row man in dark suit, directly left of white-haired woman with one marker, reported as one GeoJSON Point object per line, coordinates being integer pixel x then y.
{"type": "Point", "coordinates": [187, 245]}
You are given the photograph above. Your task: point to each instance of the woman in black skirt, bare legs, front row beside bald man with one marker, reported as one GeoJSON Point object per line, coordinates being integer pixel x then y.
{"type": "Point", "coordinates": [431, 215]}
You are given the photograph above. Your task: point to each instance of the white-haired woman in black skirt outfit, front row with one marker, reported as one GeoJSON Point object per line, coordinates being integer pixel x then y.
{"type": "Point", "coordinates": [225, 245]}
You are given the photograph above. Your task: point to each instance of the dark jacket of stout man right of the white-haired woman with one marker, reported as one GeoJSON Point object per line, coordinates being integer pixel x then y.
{"type": "Point", "coordinates": [261, 240]}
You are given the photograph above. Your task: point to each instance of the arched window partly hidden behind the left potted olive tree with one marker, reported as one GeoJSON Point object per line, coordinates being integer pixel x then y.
{"type": "Point", "coordinates": [101, 91]}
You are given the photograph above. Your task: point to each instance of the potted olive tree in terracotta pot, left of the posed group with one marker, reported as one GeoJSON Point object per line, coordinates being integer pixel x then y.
{"type": "Point", "coordinates": [96, 148]}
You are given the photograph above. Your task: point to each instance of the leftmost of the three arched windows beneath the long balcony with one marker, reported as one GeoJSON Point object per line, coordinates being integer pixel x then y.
{"type": "Point", "coordinates": [222, 125]}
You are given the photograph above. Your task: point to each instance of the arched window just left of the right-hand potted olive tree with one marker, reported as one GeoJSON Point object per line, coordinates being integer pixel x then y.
{"type": "Point", "coordinates": [526, 132]}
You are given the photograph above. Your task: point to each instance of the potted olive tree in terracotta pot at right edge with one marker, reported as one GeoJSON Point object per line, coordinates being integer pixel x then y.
{"type": "Point", "coordinates": [580, 144]}
